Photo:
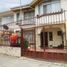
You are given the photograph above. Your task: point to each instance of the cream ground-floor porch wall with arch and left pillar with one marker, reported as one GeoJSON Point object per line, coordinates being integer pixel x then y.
{"type": "Point", "coordinates": [57, 40]}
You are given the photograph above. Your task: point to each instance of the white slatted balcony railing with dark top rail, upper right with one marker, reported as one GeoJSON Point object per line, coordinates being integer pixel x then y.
{"type": "Point", "coordinates": [52, 18]}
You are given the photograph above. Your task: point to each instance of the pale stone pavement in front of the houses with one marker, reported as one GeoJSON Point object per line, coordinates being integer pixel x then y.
{"type": "Point", "coordinates": [9, 61]}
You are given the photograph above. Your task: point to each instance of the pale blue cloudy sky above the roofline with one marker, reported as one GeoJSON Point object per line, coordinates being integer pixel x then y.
{"type": "Point", "coordinates": [7, 4]}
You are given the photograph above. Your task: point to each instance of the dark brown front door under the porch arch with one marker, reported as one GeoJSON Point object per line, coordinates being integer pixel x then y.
{"type": "Point", "coordinates": [44, 39]}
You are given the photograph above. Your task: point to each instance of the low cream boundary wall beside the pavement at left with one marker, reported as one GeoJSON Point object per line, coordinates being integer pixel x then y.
{"type": "Point", "coordinates": [13, 51]}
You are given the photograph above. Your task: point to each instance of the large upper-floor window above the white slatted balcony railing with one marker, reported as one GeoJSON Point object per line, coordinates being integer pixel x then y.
{"type": "Point", "coordinates": [53, 6]}
